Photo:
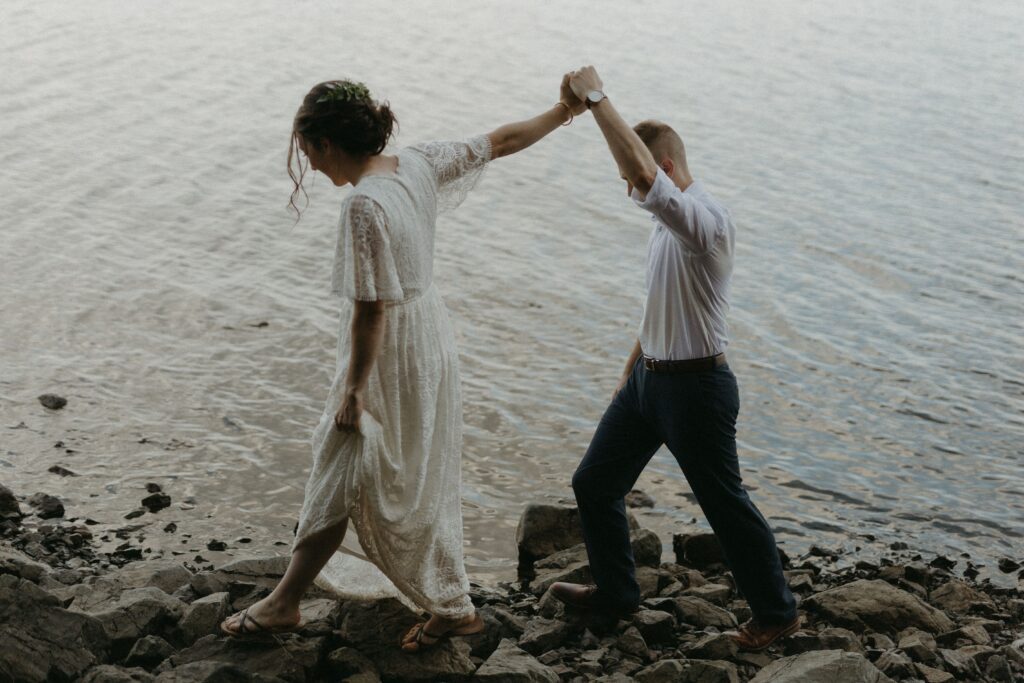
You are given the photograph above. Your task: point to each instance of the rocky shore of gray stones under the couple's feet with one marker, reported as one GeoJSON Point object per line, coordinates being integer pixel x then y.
{"type": "Point", "coordinates": [69, 613]}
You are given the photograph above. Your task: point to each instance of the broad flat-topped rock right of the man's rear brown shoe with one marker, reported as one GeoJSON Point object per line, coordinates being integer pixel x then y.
{"type": "Point", "coordinates": [877, 606]}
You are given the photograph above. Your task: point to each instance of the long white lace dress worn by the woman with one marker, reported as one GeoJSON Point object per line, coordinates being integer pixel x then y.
{"type": "Point", "coordinates": [400, 481]}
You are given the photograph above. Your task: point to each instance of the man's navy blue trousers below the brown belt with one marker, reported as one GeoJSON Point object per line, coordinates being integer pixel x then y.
{"type": "Point", "coordinates": [695, 414]}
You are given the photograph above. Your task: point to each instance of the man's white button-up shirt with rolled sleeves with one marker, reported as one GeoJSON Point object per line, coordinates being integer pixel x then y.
{"type": "Point", "coordinates": [690, 269]}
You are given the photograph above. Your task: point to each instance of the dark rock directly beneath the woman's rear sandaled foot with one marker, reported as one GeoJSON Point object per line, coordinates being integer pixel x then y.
{"type": "Point", "coordinates": [376, 628]}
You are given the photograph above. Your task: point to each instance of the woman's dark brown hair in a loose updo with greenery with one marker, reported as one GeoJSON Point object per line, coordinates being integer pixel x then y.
{"type": "Point", "coordinates": [345, 114]}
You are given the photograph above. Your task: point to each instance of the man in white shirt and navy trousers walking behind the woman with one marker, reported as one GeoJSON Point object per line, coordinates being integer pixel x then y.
{"type": "Point", "coordinates": [676, 390]}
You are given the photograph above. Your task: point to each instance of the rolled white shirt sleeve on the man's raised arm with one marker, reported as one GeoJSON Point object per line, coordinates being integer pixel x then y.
{"type": "Point", "coordinates": [697, 228]}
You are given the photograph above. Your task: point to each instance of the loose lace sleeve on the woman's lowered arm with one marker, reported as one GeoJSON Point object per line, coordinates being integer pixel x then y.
{"type": "Point", "coordinates": [365, 269]}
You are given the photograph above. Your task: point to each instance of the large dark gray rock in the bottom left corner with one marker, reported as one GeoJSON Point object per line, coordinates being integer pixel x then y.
{"type": "Point", "coordinates": [42, 642]}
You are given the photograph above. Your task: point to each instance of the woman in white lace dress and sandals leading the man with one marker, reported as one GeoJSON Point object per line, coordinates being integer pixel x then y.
{"type": "Point", "coordinates": [389, 448]}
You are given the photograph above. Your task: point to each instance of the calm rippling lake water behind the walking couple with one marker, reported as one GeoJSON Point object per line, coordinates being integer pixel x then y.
{"type": "Point", "coordinates": [872, 156]}
